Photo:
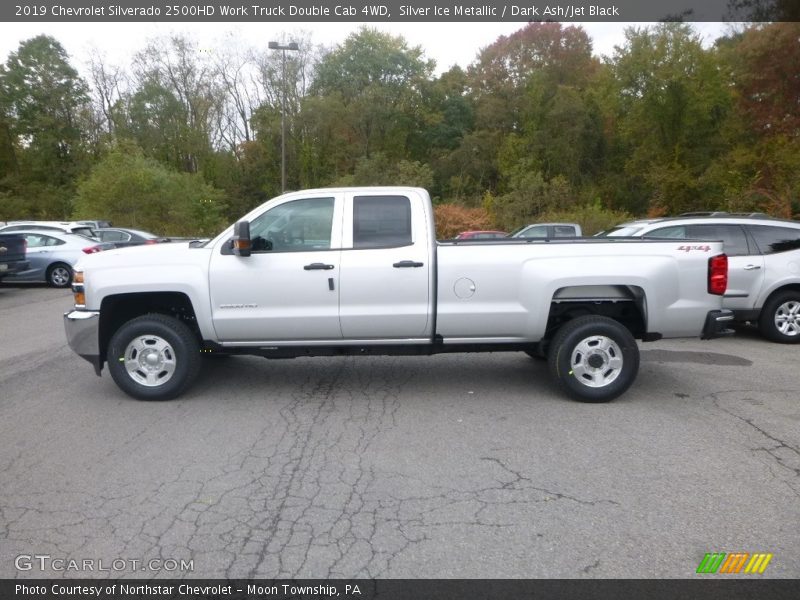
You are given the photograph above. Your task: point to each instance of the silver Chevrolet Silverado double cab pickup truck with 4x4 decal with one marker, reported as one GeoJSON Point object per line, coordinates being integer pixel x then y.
{"type": "Point", "coordinates": [359, 271]}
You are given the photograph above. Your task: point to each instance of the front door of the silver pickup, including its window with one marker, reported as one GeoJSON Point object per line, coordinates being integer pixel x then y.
{"type": "Point", "coordinates": [287, 289]}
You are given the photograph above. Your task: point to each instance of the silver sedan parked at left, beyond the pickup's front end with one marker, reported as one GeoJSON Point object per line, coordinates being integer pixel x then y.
{"type": "Point", "coordinates": [52, 254]}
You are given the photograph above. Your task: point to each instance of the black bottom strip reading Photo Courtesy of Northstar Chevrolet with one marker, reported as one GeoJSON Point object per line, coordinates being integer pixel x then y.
{"type": "Point", "coordinates": [707, 587]}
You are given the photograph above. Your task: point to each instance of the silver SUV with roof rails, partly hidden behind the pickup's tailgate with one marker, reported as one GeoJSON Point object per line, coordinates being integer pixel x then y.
{"type": "Point", "coordinates": [763, 264]}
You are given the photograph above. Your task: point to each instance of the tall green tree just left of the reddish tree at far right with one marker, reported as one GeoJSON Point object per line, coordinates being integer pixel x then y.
{"type": "Point", "coordinates": [671, 100]}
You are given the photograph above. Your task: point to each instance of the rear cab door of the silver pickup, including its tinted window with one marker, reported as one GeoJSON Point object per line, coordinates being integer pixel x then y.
{"type": "Point", "coordinates": [385, 290]}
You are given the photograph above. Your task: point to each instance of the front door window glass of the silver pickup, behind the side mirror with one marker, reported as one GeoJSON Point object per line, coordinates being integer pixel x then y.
{"type": "Point", "coordinates": [297, 226]}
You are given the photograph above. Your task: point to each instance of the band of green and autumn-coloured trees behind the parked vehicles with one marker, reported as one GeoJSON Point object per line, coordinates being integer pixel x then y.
{"type": "Point", "coordinates": [182, 141]}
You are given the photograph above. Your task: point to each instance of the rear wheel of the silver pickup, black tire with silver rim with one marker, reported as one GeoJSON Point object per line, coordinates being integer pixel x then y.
{"type": "Point", "coordinates": [593, 358]}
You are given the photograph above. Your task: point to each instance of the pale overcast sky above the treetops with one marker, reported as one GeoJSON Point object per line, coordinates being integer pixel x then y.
{"type": "Point", "coordinates": [446, 43]}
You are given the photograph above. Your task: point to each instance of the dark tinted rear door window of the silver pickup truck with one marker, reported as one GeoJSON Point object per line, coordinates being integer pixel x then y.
{"type": "Point", "coordinates": [381, 221]}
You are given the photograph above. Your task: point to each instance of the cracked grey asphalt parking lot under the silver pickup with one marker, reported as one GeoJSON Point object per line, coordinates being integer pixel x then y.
{"type": "Point", "coordinates": [468, 465]}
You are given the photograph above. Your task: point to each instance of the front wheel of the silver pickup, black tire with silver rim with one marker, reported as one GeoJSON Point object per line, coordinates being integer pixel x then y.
{"type": "Point", "coordinates": [154, 357]}
